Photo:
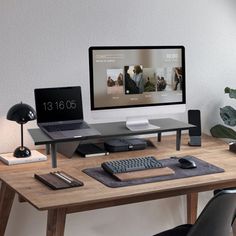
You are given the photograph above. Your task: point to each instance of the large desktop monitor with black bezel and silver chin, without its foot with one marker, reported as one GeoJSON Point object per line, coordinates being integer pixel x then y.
{"type": "Point", "coordinates": [136, 80]}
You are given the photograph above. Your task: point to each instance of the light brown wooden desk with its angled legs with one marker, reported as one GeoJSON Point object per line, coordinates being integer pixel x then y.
{"type": "Point", "coordinates": [94, 195]}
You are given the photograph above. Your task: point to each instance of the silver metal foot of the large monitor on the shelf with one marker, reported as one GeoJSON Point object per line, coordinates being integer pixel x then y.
{"type": "Point", "coordinates": [139, 124]}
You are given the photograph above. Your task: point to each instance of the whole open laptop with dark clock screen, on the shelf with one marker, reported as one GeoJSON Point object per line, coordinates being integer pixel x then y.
{"type": "Point", "coordinates": [60, 113]}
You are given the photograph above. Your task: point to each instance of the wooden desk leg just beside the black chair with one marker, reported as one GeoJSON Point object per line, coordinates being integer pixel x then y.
{"type": "Point", "coordinates": [192, 202]}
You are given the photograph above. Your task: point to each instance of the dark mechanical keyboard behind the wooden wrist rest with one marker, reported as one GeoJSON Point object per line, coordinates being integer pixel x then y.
{"type": "Point", "coordinates": [133, 164]}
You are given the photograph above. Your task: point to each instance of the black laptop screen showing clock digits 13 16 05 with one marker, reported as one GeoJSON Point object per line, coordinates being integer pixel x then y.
{"type": "Point", "coordinates": [58, 104]}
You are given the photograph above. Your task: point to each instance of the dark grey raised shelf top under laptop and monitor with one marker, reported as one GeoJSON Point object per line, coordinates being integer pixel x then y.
{"type": "Point", "coordinates": [115, 129]}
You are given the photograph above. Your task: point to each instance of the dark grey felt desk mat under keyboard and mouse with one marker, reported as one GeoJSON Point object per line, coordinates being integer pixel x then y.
{"type": "Point", "coordinates": [203, 168]}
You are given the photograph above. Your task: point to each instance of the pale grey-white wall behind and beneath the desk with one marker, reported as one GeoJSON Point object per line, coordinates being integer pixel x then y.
{"type": "Point", "coordinates": [45, 43]}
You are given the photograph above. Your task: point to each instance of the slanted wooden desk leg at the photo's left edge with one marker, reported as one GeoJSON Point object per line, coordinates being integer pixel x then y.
{"type": "Point", "coordinates": [6, 199]}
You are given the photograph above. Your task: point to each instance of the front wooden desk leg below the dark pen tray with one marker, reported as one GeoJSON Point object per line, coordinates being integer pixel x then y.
{"type": "Point", "coordinates": [56, 222]}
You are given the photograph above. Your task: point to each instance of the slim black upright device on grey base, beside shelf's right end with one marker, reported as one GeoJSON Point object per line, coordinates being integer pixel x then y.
{"type": "Point", "coordinates": [194, 118]}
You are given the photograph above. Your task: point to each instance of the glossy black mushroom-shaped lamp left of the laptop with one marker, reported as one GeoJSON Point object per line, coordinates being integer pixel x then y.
{"type": "Point", "coordinates": [21, 113]}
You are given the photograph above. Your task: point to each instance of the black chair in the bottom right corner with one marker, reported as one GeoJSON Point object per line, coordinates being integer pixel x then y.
{"type": "Point", "coordinates": [216, 218]}
